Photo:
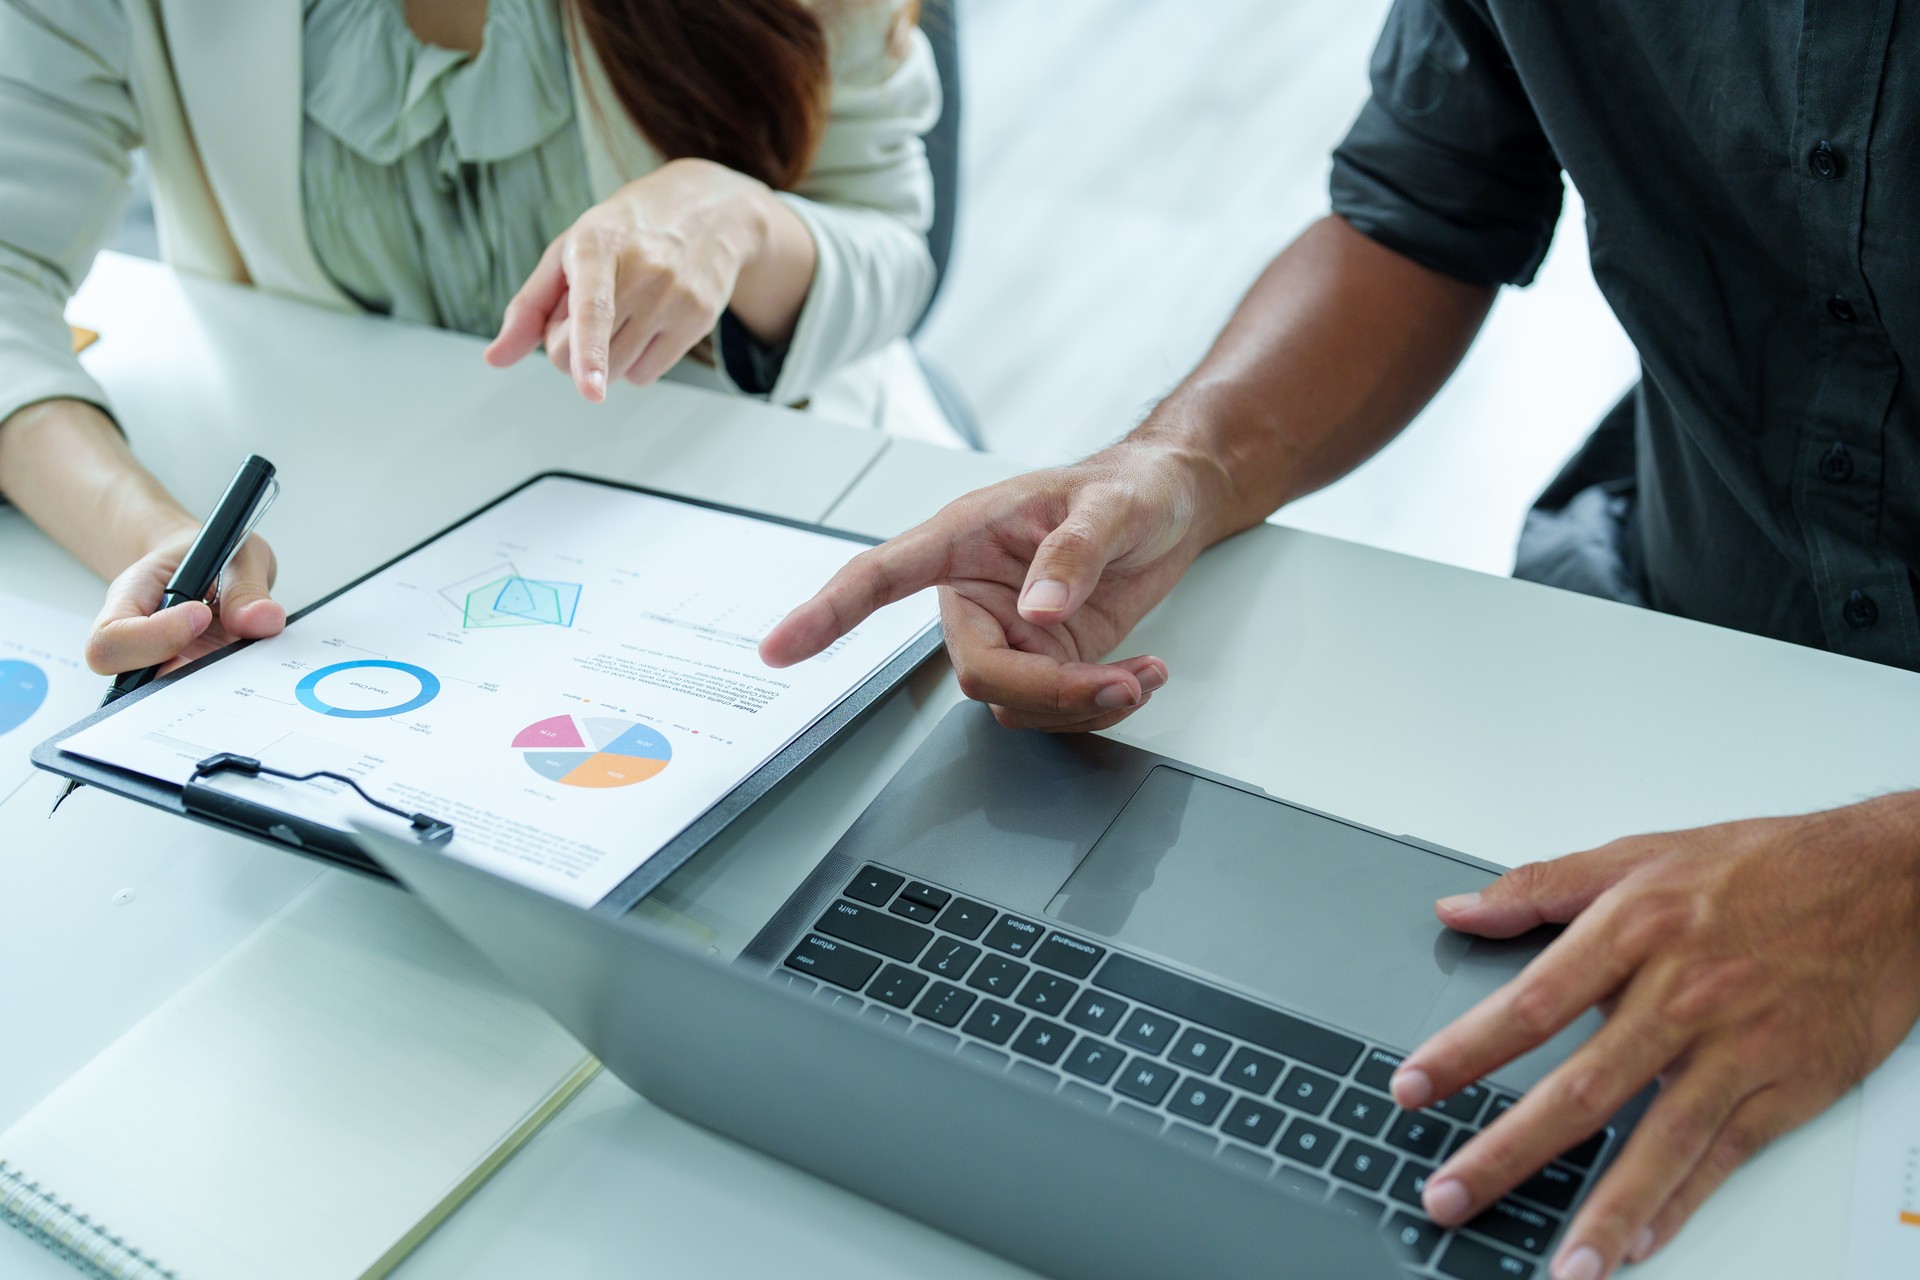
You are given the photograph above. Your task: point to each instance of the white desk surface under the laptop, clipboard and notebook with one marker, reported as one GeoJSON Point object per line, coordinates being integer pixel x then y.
{"type": "Point", "coordinates": [1495, 717]}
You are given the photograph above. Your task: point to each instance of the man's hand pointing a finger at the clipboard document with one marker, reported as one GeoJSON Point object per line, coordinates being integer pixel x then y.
{"type": "Point", "coordinates": [1040, 579]}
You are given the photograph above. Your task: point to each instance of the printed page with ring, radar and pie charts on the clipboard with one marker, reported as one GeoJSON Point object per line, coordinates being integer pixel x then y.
{"type": "Point", "coordinates": [569, 678]}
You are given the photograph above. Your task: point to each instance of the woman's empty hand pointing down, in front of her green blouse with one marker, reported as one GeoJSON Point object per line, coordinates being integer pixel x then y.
{"type": "Point", "coordinates": [642, 277]}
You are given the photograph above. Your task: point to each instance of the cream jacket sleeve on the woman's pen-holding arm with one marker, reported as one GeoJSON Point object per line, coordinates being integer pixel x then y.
{"type": "Point", "coordinates": [68, 126]}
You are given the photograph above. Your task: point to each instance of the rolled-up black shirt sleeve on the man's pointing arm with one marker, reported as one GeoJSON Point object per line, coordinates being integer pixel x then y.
{"type": "Point", "coordinates": [1449, 162]}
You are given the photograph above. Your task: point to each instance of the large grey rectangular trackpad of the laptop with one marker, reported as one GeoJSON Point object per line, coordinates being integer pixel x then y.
{"type": "Point", "coordinates": [1310, 913]}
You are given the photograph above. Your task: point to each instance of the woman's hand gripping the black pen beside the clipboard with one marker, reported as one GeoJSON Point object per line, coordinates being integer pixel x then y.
{"type": "Point", "coordinates": [130, 636]}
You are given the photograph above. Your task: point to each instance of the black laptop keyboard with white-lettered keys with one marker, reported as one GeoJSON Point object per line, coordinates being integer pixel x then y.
{"type": "Point", "coordinates": [1201, 1066]}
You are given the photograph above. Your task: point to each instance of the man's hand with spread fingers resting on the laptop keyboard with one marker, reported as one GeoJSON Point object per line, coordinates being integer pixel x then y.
{"type": "Point", "coordinates": [1758, 970]}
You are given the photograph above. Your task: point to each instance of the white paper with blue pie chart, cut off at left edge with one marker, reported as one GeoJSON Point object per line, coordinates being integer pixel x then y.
{"type": "Point", "coordinates": [45, 686]}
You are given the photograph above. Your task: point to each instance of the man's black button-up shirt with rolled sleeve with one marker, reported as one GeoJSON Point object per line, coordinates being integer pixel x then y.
{"type": "Point", "coordinates": [1752, 178]}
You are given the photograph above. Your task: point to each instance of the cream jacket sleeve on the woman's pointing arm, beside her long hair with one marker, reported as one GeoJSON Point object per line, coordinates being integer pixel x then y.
{"type": "Point", "coordinates": [869, 202]}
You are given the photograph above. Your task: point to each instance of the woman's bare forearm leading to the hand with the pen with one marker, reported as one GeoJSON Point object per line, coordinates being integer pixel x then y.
{"type": "Point", "coordinates": [70, 471]}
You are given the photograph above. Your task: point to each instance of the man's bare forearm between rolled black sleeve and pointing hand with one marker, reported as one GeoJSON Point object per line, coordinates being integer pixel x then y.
{"type": "Point", "coordinates": [1330, 356]}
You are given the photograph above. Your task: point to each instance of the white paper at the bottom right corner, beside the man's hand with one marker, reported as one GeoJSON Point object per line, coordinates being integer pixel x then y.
{"type": "Point", "coordinates": [1884, 1243]}
